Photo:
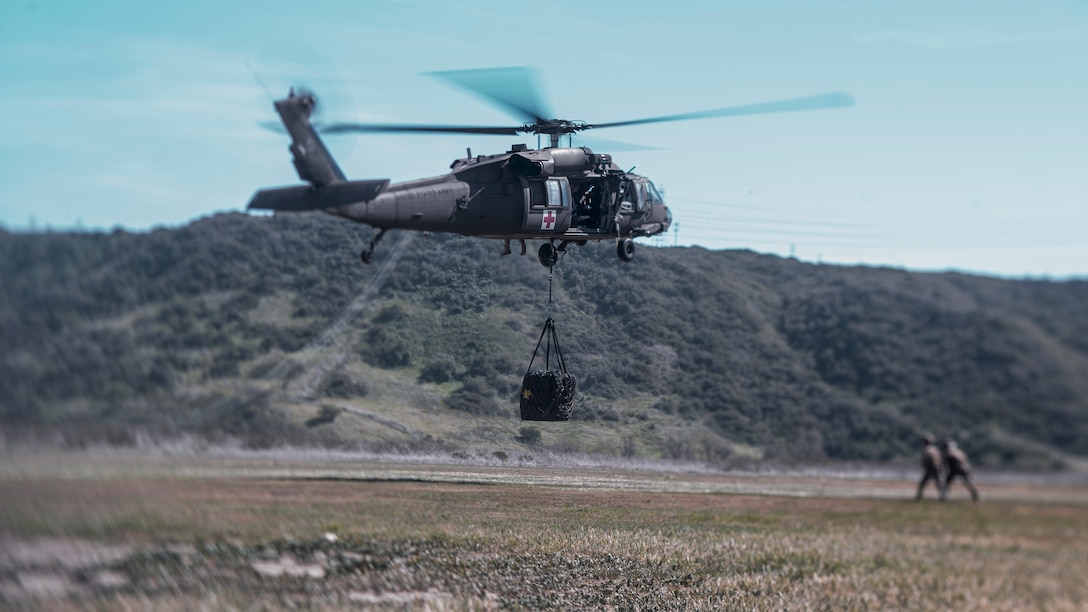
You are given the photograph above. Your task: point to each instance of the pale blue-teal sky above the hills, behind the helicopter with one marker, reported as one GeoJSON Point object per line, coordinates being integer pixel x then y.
{"type": "Point", "coordinates": [968, 149]}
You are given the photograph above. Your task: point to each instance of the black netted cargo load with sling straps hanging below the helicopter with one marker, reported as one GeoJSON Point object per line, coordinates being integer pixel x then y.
{"type": "Point", "coordinates": [548, 395]}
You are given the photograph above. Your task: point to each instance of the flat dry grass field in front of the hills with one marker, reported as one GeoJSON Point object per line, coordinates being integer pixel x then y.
{"type": "Point", "coordinates": [144, 531]}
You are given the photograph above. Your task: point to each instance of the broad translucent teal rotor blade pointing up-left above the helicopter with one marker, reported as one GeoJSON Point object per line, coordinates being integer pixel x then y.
{"type": "Point", "coordinates": [513, 89]}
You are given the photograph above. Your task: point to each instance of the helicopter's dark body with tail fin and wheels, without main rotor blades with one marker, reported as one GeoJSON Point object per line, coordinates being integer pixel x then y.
{"type": "Point", "coordinates": [559, 195]}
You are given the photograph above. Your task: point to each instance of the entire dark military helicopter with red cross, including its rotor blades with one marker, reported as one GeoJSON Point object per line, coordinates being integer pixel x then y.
{"type": "Point", "coordinates": [562, 195]}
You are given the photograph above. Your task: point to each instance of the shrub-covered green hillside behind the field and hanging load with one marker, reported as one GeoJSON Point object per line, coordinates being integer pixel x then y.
{"type": "Point", "coordinates": [683, 353]}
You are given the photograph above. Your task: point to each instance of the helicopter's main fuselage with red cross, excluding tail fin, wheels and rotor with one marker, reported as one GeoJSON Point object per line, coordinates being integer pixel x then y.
{"type": "Point", "coordinates": [567, 194]}
